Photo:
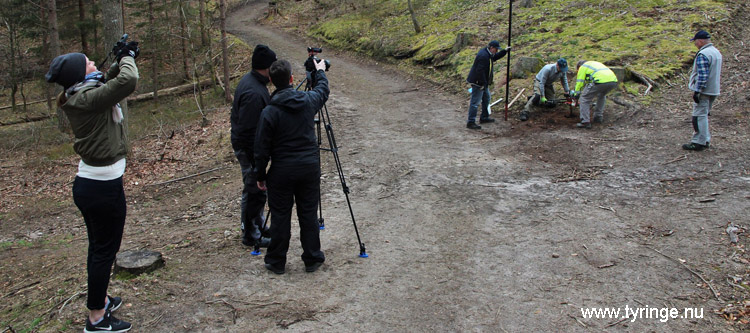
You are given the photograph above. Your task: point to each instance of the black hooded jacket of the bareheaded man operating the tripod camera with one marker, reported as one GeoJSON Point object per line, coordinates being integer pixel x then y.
{"type": "Point", "coordinates": [286, 129]}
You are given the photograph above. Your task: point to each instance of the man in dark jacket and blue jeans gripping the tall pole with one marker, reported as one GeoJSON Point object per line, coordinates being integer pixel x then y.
{"type": "Point", "coordinates": [480, 78]}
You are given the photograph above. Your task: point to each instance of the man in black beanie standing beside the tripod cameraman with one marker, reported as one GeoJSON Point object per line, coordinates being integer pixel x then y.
{"type": "Point", "coordinates": [250, 97]}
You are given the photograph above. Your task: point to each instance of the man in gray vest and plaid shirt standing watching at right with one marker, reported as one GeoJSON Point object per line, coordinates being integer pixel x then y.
{"type": "Point", "coordinates": [705, 83]}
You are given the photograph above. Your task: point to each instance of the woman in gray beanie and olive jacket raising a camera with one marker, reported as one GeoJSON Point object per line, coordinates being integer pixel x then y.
{"type": "Point", "coordinates": [90, 100]}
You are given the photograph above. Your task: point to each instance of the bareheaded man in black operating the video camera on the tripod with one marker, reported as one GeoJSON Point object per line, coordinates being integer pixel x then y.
{"type": "Point", "coordinates": [286, 137]}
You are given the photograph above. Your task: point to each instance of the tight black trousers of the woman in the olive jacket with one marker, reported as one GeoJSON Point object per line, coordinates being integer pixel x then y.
{"type": "Point", "coordinates": [102, 204]}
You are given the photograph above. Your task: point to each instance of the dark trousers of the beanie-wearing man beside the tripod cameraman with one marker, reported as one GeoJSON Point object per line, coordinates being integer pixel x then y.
{"type": "Point", "coordinates": [253, 199]}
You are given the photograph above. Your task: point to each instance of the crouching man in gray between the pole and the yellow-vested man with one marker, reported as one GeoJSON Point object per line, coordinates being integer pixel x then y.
{"type": "Point", "coordinates": [543, 89]}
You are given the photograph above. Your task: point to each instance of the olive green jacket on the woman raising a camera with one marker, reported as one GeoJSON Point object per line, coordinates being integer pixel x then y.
{"type": "Point", "coordinates": [99, 139]}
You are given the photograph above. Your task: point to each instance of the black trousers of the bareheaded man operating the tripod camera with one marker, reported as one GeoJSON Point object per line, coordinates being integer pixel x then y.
{"type": "Point", "coordinates": [287, 186]}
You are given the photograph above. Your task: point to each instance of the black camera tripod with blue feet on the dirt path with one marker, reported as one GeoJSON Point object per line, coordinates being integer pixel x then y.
{"type": "Point", "coordinates": [323, 120]}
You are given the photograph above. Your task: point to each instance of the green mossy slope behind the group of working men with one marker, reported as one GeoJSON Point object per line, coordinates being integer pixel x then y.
{"type": "Point", "coordinates": [649, 36]}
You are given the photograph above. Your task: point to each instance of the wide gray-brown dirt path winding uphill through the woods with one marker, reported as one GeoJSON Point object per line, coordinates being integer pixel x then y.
{"type": "Point", "coordinates": [482, 230]}
